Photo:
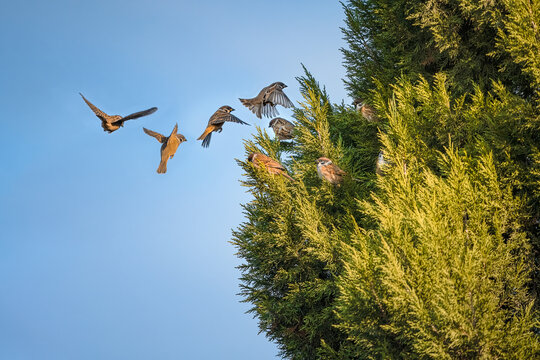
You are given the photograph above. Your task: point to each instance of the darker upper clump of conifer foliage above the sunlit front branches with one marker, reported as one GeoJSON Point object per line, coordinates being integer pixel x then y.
{"type": "Point", "coordinates": [388, 38]}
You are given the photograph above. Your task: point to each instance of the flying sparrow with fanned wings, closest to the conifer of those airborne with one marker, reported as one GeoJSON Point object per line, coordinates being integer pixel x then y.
{"type": "Point", "coordinates": [265, 103]}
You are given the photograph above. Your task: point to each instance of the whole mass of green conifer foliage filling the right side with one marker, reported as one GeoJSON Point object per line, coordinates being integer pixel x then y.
{"type": "Point", "coordinates": [437, 257]}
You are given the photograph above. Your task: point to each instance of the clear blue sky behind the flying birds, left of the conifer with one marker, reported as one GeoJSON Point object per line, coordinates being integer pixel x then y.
{"type": "Point", "coordinates": [101, 257]}
